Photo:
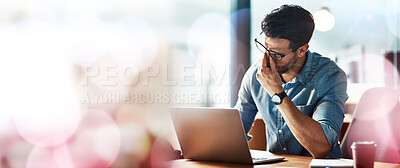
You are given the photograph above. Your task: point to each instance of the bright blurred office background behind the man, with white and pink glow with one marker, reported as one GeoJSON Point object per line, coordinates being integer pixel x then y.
{"type": "Point", "coordinates": [89, 83]}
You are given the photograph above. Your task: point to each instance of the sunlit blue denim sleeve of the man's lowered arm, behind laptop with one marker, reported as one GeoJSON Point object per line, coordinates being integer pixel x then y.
{"type": "Point", "coordinates": [245, 104]}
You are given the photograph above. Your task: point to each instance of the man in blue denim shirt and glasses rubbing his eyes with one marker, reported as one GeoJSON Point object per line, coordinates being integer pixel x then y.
{"type": "Point", "coordinates": [301, 96]}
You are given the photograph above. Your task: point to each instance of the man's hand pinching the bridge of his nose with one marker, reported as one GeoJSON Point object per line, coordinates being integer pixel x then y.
{"type": "Point", "coordinates": [268, 76]}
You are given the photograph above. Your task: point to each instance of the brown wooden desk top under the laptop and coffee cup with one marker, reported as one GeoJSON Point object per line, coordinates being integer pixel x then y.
{"type": "Point", "coordinates": [290, 161]}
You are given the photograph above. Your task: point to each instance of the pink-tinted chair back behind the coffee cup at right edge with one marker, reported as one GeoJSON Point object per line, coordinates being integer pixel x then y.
{"type": "Point", "coordinates": [376, 118]}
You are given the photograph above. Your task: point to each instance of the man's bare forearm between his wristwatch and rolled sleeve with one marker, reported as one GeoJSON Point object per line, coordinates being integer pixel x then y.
{"type": "Point", "coordinates": [306, 130]}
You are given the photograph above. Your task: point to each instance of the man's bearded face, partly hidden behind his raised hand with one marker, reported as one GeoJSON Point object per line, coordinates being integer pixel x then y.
{"type": "Point", "coordinates": [280, 45]}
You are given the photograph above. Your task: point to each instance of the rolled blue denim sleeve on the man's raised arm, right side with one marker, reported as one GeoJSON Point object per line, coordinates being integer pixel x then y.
{"type": "Point", "coordinates": [330, 108]}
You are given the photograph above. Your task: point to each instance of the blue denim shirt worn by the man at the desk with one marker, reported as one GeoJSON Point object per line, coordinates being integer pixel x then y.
{"type": "Point", "coordinates": [318, 91]}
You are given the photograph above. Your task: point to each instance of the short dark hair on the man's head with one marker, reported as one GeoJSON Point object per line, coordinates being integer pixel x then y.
{"type": "Point", "coordinates": [291, 22]}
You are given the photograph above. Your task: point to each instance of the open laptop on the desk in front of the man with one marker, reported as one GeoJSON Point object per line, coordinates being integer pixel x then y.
{"type": "Point", "coordinates": [215, 134]}
